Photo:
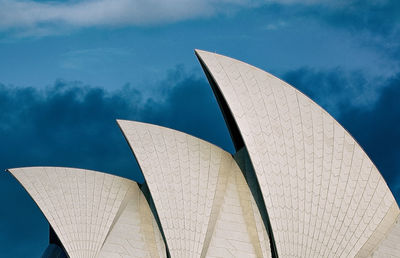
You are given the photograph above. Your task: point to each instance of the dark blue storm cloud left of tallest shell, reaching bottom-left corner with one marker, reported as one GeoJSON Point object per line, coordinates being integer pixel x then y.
{"type": "Point", "coordinates": [72, 124]}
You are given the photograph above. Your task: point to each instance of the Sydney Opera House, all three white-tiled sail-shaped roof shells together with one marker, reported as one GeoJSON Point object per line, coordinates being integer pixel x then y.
{"type": "Point", "coordinates": [298, 185]}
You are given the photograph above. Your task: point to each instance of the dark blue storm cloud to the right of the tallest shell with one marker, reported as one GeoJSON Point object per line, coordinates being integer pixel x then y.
{"type": "Point", "coordinates": [374, 121]}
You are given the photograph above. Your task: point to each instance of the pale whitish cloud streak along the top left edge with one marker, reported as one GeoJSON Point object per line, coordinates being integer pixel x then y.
{"type": "Point", "coordinates": [33, 15]}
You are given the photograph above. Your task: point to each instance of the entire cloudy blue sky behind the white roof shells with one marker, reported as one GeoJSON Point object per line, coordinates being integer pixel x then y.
{"type": "Point", "coordinates": [68, 69]}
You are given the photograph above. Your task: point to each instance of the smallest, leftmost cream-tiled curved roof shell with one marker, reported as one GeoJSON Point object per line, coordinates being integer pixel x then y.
{"type": "Point", "coordinates": [94, 214]}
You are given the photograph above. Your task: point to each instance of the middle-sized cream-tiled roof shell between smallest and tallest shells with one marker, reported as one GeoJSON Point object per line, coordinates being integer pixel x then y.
{"type": "Point", "coordinates": [200, 194]}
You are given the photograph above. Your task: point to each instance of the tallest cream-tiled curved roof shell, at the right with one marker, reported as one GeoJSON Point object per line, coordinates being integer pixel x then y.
{"type": "Point", "coordinates": [323, 194]}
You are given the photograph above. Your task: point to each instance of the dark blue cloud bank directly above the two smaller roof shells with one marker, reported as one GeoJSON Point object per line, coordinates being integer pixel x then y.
{"type": "Point", "coordinates": [73, 124]}
